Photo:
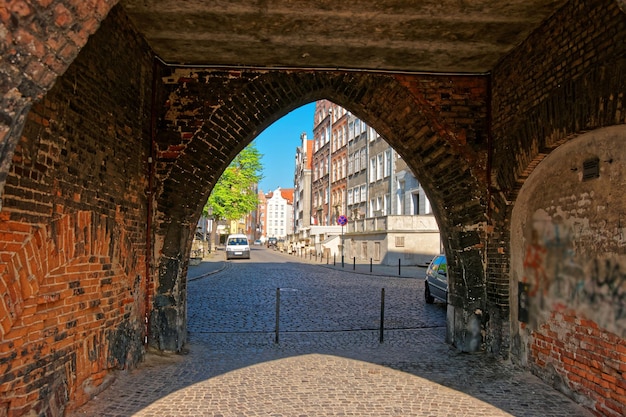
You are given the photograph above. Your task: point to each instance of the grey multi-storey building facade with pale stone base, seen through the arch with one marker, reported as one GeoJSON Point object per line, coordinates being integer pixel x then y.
{"type": "Point", "coordinates": [390, 219]}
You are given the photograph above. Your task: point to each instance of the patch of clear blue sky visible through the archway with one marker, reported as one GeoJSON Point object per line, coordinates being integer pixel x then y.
{"type": "Point", "coordinates": [278, 145]}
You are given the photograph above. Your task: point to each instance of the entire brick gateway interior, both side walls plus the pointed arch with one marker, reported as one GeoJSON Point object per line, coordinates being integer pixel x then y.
{"type": "Point", "coordinates": [108, 156]}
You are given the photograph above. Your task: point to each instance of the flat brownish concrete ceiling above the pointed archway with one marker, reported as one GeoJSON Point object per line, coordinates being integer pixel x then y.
{"type": "Point", "coordinates": [466, 36]}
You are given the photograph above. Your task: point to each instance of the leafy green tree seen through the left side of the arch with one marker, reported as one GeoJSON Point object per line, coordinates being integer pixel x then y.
{"type": "Point", "coordinates": [235, 195]}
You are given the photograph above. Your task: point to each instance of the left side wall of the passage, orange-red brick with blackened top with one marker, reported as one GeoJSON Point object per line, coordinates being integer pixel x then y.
{"type": "Point", "coordinates": [73, 230]}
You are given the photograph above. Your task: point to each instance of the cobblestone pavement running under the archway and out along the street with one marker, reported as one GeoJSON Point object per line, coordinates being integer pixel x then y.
{"type": "Point", "coordinates": [328, 360]}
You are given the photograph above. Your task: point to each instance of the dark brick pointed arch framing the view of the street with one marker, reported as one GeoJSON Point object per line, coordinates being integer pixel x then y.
{"type": "Point", "coordinates": [208, 116]}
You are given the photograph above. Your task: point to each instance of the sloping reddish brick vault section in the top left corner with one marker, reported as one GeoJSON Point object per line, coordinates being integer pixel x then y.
{"type": "Point", "coordinates": [42, 40]}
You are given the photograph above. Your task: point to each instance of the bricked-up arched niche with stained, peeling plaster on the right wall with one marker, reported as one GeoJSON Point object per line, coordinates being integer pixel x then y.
{"type": "Point", "coordinates": [568, 265]}
